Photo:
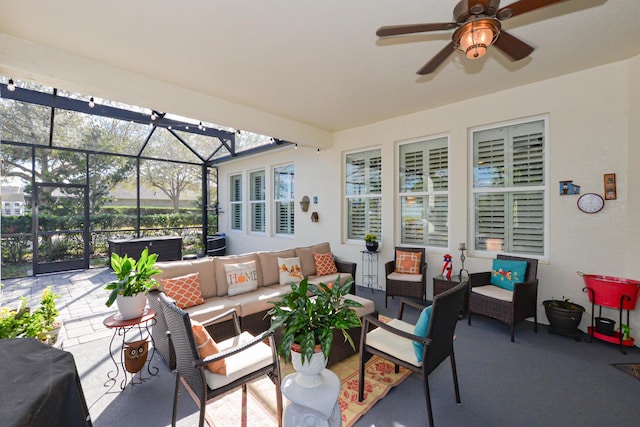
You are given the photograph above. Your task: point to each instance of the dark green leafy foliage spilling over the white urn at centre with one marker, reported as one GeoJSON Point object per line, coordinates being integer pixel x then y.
{"type": "Point", "coordinates": [310, 320]}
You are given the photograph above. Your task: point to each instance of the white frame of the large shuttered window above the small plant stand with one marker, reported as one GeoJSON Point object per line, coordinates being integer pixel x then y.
{"type": "Point", "coordinates": [367, 195]}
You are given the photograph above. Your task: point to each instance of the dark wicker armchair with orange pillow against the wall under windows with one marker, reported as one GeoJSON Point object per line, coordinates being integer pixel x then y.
{"type": "Point", "coordinates": [406, 285]}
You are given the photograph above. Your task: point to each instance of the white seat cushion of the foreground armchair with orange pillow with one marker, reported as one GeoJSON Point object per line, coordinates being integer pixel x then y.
{"type": "Point", "coordinates": [242, 363]}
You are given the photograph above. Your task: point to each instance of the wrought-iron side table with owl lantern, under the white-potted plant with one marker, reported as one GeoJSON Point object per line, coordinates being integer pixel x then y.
{"type": "Point", "coordinates": [140, 326]}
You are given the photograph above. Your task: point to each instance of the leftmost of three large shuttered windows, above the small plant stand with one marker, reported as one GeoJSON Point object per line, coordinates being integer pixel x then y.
{"type": "Point", "coordinates": [363, 189]}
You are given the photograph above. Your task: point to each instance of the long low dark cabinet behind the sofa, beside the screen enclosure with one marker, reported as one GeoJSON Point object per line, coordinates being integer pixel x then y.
{"type": "Point", "coordinates": [168, 248]}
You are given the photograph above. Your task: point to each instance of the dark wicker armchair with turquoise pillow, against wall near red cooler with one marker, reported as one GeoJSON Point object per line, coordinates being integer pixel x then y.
{"type": "Point", "coordinates": [509, 307]}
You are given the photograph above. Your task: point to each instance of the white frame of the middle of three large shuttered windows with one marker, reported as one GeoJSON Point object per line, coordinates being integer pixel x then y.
{"type": "Point", "coordinates": [443, 140]}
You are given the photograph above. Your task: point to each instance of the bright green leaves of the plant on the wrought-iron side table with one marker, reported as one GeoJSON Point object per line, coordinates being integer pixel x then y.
{"type": "Point", "coordinates": [133, 277]}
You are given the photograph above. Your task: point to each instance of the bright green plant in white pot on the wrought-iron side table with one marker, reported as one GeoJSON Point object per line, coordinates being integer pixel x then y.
{"type": "Point", "coordinates": [133, 283]}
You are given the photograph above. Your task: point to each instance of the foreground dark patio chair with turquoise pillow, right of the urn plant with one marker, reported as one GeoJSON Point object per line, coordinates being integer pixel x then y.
{"type": "Point", "coordinates": [394, 341]}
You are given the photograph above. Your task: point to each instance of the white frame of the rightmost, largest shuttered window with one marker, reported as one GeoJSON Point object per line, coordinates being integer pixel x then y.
{"type": "Point", "coordinates": [510, 190]}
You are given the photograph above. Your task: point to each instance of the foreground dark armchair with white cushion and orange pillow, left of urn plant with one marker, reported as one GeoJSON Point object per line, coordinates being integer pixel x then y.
{"type": "Point", "coordinates": [248, 358]}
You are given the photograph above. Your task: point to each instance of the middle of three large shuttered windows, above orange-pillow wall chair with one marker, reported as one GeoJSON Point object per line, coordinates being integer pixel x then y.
{"type": "Point", "coordinates": [424, 192]}
